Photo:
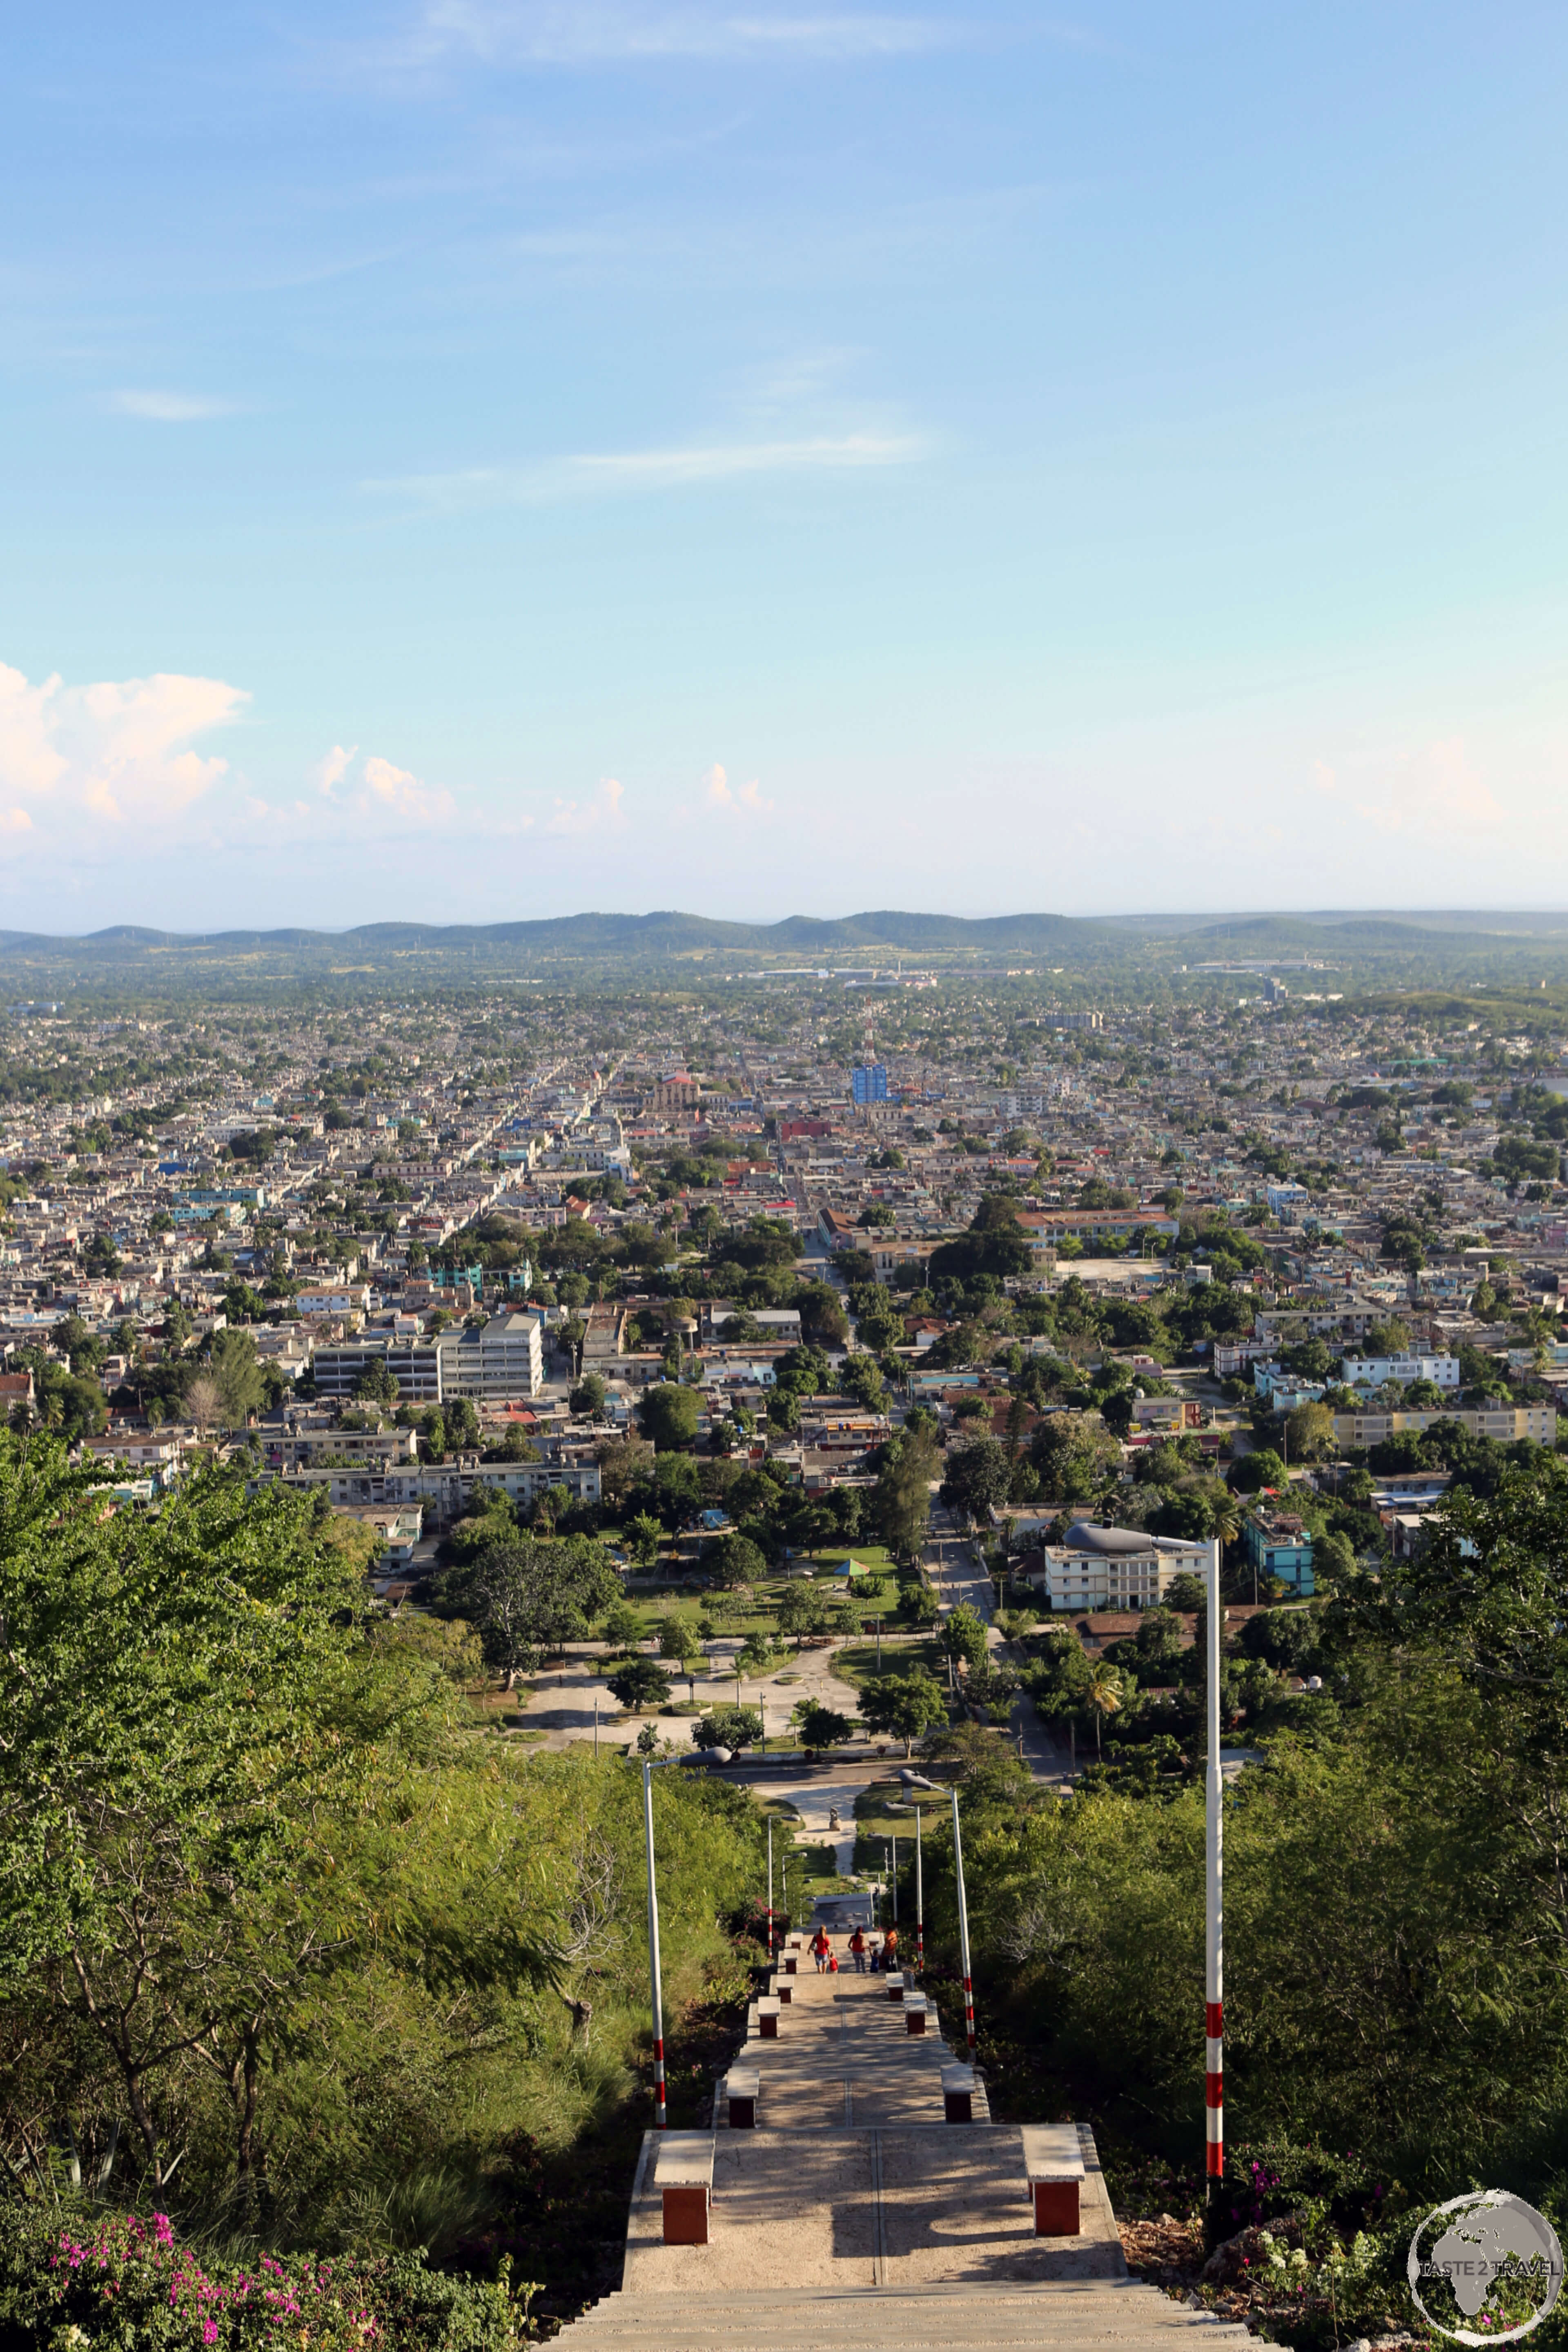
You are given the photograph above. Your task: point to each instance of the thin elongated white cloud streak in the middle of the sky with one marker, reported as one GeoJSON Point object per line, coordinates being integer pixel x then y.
{"type": "Point", "coordinates": [608, 474]}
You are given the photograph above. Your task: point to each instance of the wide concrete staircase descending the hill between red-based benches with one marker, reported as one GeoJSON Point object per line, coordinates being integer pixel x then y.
{"type": "Point", "coordinates": [857, 2210]}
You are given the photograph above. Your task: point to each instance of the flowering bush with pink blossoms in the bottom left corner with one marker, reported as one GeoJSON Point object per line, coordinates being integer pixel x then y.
{"type": "Point", "coordinates": [88, 2280]}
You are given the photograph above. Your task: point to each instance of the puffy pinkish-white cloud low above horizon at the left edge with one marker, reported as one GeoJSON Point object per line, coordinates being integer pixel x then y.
{"type": "Point", "coordinates": [116, 751]}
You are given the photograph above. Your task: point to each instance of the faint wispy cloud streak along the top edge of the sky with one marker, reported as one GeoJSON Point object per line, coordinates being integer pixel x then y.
{"type": "Point", "coordinates": [532, 34]}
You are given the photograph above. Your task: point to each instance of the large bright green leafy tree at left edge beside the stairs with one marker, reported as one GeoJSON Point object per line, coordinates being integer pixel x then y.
{"type": "Point", "coordinates": [199, 1716]}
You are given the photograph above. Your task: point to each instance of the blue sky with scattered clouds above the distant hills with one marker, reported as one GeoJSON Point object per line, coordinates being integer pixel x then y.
{"type": "Point", "coordinates": [481, 457]}
